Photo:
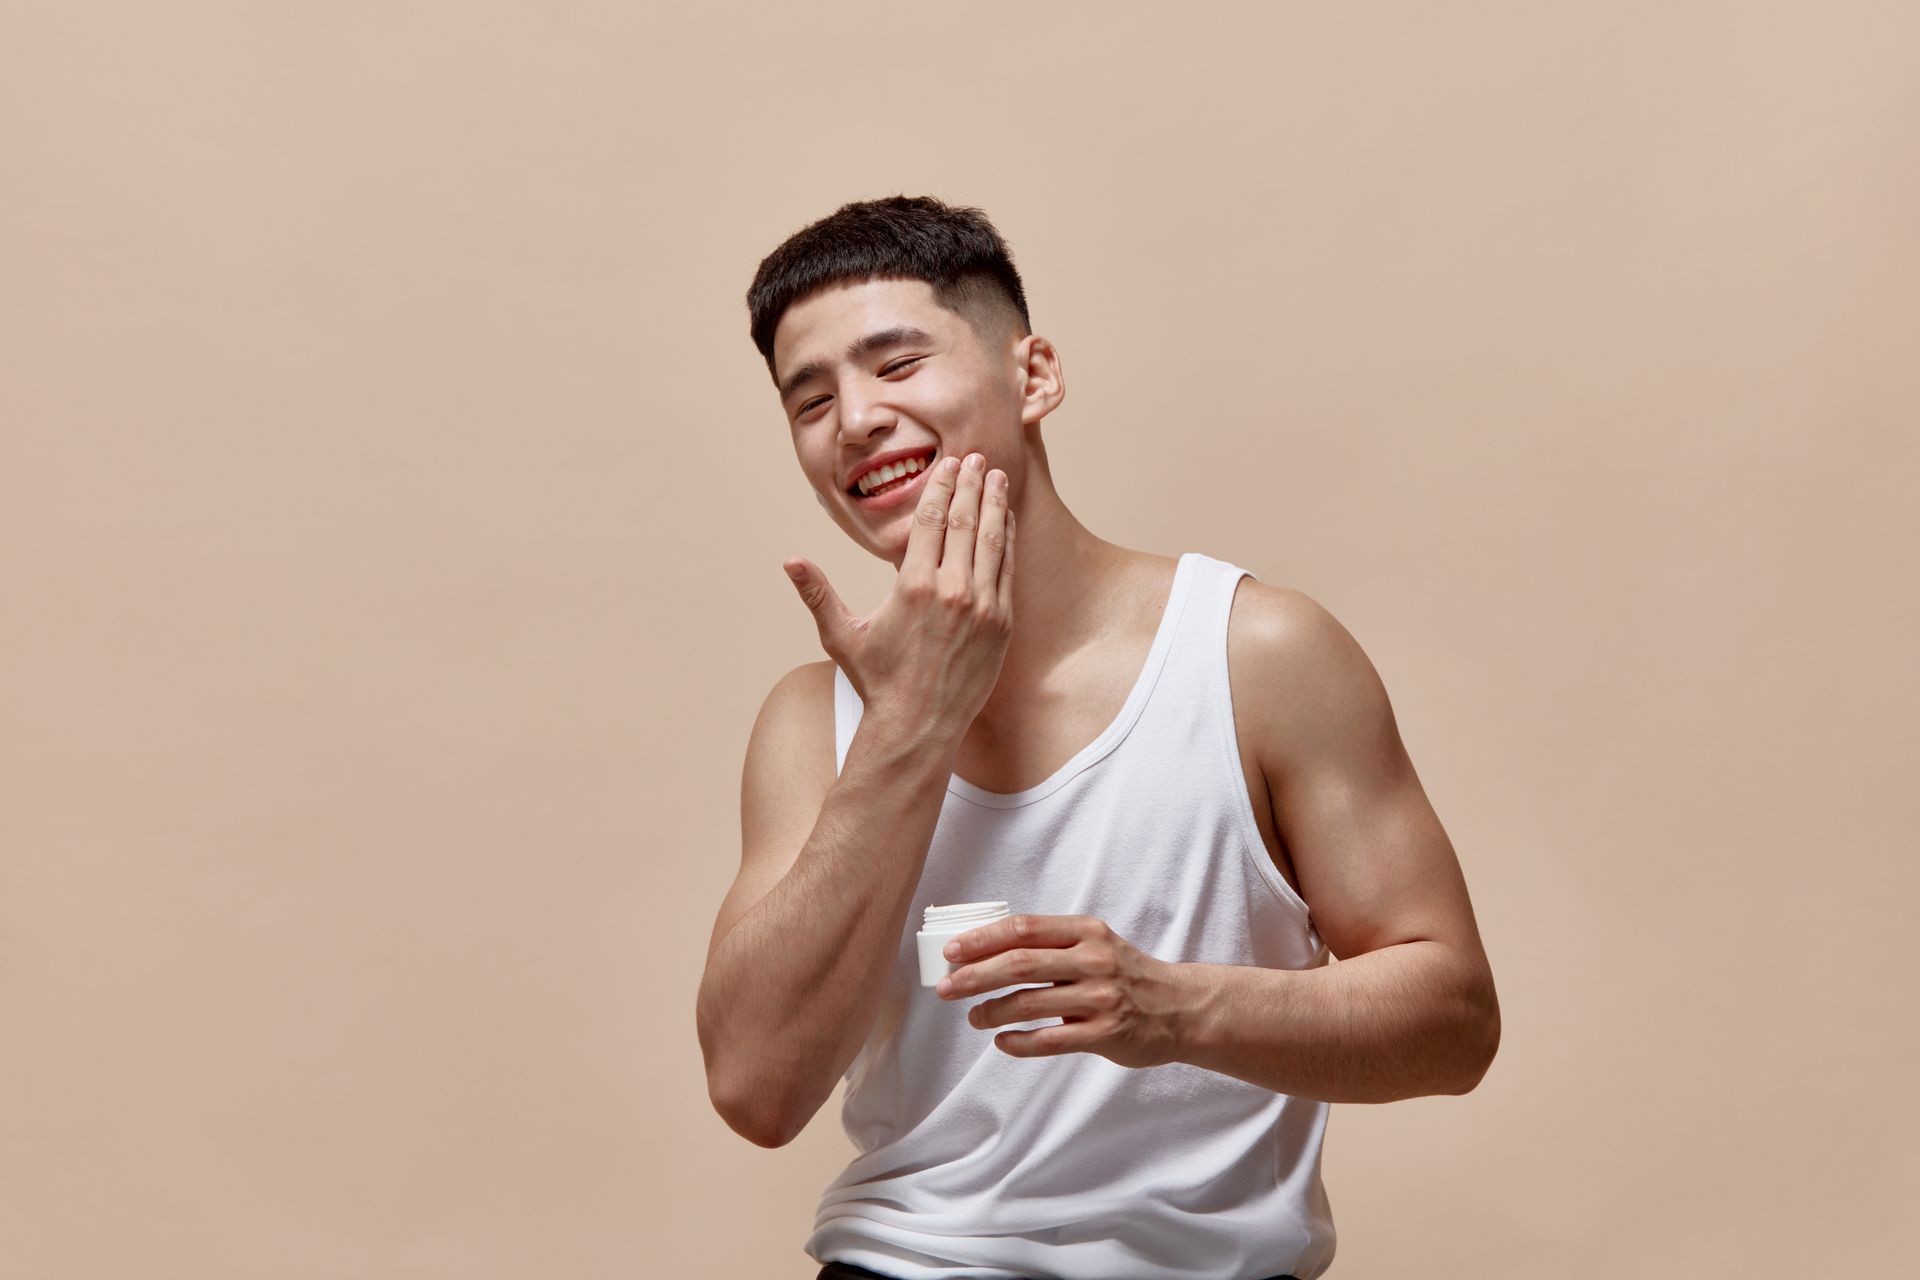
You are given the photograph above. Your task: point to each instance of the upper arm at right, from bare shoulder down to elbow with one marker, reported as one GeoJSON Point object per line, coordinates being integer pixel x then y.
{"type": "Point", "coordinates": [1376, 865]}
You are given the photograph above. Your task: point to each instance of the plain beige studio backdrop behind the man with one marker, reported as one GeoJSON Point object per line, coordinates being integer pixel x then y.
{"type": "Point", "coordinates": [393, 529]}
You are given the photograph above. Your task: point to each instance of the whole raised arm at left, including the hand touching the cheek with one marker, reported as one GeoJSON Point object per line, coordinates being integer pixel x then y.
{"type": "Point", "coordinates": [807, 936]}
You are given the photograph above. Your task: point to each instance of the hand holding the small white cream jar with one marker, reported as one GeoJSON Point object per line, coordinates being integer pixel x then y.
{"type": "Point", "coordinates": [1116, 1001]}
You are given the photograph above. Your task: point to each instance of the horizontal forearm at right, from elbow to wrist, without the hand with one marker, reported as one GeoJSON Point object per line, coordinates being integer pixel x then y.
{"type": "Point", "coordinates": [1403, 1022]}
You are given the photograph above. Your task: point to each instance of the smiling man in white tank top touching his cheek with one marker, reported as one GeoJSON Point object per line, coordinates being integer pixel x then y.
{"type": "Point", "coordinates": [1188, 784]}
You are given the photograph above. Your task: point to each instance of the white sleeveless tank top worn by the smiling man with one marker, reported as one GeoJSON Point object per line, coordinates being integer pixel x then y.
{"type": "Point", "coordinates": [1072, 1168]}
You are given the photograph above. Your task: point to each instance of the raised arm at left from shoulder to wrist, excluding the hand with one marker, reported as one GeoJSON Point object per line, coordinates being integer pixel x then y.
{"type": "Point", "coordinates": [794, 972]}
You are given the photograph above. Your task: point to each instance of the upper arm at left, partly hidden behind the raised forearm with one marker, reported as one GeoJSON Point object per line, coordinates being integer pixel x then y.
{"type": "Point", "coordinates": [784, 782]}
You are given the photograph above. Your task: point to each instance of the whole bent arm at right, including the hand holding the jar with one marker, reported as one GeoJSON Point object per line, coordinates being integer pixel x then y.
{"type": "Point", "coordinates": [1410, 1007]}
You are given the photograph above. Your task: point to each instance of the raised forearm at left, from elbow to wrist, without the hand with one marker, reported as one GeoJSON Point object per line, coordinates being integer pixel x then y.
{"type": "Point", "coordinates": [796, 985]}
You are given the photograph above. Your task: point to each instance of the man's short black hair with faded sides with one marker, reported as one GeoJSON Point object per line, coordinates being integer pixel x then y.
{"type": "Point", "coordinates": [953, 249]}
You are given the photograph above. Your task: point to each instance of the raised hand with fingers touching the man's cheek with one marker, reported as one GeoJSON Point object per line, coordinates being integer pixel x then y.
{"type": "Point", "coordinates": [934, 650]}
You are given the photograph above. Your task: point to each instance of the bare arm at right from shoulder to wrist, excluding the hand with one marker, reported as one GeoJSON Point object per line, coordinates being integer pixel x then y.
{"type": "Point", "coordinates": [1410, 1007]}
